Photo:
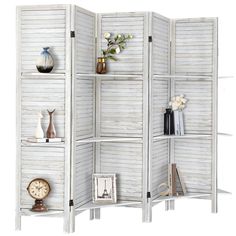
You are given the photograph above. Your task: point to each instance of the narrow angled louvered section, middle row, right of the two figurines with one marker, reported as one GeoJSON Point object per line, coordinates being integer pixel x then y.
{"type": "Point", "coordinates": [84, 100]}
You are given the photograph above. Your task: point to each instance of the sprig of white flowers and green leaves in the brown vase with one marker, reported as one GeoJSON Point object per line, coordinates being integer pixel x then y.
{"type": "Point", "coordinates": [115, 45]}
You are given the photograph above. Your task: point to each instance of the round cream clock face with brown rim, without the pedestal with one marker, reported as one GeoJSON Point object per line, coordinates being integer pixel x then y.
{"type": "Point", "coordinates": [38, 189]}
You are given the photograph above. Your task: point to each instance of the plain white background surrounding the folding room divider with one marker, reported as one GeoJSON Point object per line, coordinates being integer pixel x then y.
{"type": "Point", "coordinates": [191, 217]}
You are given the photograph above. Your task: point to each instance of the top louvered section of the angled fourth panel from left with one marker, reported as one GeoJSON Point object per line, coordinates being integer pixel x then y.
{"type": "Point", "coordinates": [160, 45]}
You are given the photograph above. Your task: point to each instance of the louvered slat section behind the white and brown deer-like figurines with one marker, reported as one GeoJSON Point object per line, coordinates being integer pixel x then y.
{"type": "Point", "coordinates": [40, 95]}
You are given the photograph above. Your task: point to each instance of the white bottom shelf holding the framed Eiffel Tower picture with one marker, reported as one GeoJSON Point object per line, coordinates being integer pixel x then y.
{"type": "Point", "coordinates": [91, 205]}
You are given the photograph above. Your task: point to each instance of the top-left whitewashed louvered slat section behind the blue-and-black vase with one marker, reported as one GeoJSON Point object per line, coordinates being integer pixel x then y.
{"type": "Point", "coordinates": [43, 28]}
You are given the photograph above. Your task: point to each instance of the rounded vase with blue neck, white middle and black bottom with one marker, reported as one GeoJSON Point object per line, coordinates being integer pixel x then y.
{"type": "Point", "coordinates": [44, 63]}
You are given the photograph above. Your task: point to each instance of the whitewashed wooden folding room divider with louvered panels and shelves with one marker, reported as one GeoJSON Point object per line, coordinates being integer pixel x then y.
{"type": "Point", "coordinates": [113, 123]}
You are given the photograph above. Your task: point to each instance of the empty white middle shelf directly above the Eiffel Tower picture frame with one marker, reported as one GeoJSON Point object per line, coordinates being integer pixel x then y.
{"type": "Point", "coordinates": [108, 139]}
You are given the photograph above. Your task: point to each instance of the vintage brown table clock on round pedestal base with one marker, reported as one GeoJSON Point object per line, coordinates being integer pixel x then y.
{"type": "Point", "coordinates": [39, 189]}
